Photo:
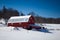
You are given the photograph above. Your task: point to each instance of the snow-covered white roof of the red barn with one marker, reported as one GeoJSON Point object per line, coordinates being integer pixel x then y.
{"type": "Point", "coordinates": [19, 19]}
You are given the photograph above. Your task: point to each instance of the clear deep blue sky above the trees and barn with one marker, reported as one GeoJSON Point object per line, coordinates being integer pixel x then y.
{"type": "Point", "coordinates": [44, 8]}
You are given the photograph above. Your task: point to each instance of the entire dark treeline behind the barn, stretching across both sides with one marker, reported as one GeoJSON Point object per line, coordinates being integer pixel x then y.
{"type": "Point", "coordinates": [7, 13]}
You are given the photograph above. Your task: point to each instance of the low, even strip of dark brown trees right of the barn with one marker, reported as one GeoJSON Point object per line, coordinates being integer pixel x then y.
{"type": "Point", "coordinates": [47, 20]}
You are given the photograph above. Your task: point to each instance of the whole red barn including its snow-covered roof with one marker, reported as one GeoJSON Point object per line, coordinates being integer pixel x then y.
{"type": "Point", "coordinates": [21, 21]}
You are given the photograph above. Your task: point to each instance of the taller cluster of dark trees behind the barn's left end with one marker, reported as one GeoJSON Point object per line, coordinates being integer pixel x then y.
{"type": "Point", "coordinates": [7, 13]}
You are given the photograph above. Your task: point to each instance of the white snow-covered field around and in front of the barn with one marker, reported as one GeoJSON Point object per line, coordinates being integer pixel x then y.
{"type": "Point", "coordinates": [8, 33]}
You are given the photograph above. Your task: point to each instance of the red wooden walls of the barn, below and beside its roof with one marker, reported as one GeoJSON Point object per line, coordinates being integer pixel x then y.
{"type": "Point", "coordinates": [23, 24]}
